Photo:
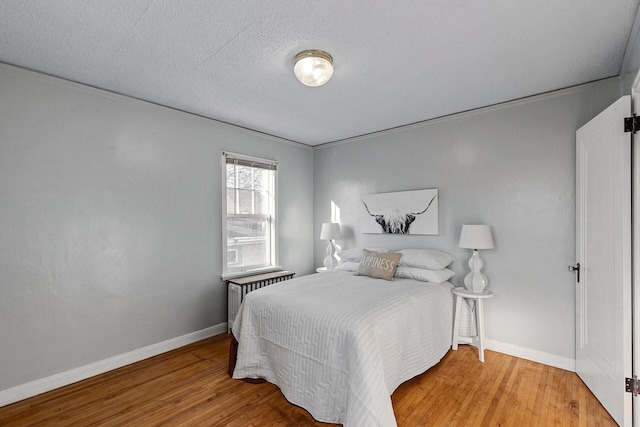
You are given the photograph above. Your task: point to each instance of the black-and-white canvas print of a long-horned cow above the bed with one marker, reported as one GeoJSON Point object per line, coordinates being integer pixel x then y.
{"type": "Point", "coordinates": [402, 212]}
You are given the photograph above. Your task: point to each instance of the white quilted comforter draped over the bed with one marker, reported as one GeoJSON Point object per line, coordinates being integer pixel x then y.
{"type": "Point", "coordinates": [338, 345]}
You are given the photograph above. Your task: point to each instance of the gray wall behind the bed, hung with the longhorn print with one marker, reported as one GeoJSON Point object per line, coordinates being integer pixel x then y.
{"type": "Point", "coordinates": [510, 166]}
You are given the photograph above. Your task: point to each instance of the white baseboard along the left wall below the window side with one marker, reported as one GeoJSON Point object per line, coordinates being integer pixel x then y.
{"type": "Point", "coordinates": [36, 387]}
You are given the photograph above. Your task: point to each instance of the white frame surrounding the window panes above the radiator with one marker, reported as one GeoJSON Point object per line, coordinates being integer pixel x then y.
{"type": "Point", "coordinates": [227, 272]}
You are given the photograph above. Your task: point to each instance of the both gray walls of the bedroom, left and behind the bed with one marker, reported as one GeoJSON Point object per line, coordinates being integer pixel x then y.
{"type": "Point", "coordinates": [110, 214]}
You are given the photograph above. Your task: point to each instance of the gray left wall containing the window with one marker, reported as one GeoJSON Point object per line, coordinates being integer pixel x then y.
{"type": "Point", "coordinates": [110, 222]}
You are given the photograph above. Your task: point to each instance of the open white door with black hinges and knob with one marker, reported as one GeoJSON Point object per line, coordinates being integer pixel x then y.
{"type": "Point", "coordinates": [603, 249]}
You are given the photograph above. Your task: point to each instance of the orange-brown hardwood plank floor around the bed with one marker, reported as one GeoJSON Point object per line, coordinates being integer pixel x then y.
{"type": "Point", "coordinates": [190, 387]}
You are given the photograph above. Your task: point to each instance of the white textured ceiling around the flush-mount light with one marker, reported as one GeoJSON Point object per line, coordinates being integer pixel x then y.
{"type": "Point", "coordinates": [395, 64]}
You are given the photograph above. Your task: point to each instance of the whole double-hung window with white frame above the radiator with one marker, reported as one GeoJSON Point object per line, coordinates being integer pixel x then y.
{"type": "Point", "coordinates": [248, 215]}
